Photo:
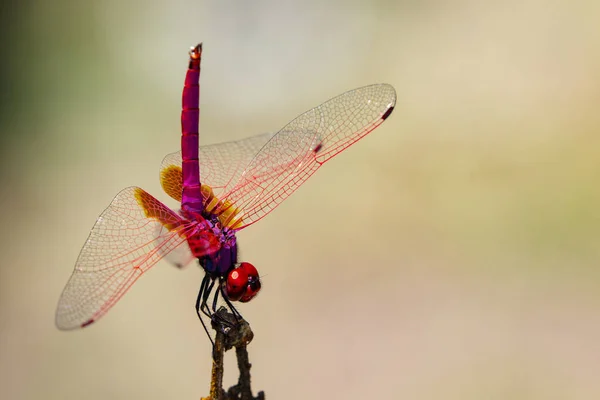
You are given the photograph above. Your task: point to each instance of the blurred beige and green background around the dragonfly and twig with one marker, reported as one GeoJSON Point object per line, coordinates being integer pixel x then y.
{"type": "Point", "coordinates": [452, 254]}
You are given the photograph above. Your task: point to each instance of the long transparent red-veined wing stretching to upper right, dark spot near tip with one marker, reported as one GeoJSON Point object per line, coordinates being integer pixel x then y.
{"type": "Point", "coordinates": [292, 155]}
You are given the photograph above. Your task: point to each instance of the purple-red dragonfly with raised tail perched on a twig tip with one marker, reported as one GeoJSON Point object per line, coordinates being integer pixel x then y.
{"type": "Point", "coordinates": [222, 188]}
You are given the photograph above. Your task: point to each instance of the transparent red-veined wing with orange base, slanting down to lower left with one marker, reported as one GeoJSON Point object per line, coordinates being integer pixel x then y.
{"type": "Point", "coordinates": [129, 237]}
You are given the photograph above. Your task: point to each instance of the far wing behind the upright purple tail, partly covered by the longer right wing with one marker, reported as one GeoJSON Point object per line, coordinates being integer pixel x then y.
{"type": "Point", "coordinates": [219, 164]}
